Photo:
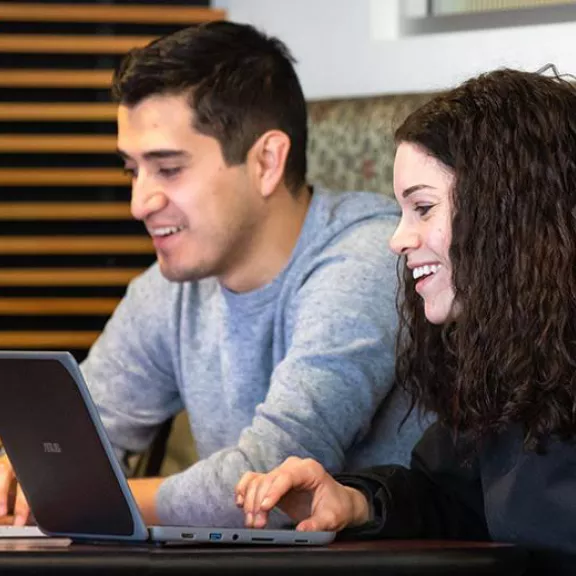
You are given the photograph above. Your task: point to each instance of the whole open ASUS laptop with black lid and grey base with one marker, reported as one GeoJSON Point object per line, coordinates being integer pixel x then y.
{"type": "Point", "coordinates": [68, 470]}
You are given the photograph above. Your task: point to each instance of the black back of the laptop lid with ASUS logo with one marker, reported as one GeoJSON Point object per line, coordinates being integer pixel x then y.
{"type": "Point", "coordinates": [56, 453]}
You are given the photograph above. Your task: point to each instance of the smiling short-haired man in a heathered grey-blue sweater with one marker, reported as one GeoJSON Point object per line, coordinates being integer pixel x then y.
{"type": "Point", "coordinates": [270, 313]}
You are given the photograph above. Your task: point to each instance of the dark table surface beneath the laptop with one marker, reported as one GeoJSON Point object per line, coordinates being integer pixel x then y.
{"type": "Point", "coordinates": [384, 557]}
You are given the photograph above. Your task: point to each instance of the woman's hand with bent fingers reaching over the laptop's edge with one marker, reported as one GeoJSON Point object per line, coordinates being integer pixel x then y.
{"type": "Point", "coordinates": [306, 492]}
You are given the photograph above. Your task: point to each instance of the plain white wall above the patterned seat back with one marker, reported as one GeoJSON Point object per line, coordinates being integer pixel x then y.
{"type": "Point", "coordinates": [356, 47]}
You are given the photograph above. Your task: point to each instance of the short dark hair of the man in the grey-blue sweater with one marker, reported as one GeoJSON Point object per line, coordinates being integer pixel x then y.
{"type": "Point", "coordinates": [241, 83]}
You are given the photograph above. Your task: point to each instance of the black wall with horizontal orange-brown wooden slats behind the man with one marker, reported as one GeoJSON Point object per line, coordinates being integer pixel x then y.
{"type": "Point", "coordinates": [68, 245]}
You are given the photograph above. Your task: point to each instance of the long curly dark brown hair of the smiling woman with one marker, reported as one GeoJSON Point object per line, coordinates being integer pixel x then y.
{"type": "Point", "coordinates": [510, 357]}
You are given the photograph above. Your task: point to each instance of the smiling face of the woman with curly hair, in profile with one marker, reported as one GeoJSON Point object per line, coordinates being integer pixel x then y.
{"type": "Point", "coordinates": [422, 186]}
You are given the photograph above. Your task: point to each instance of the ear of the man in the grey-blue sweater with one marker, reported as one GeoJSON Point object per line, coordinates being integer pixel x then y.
{"type": "Point", "coordinates": [267, 159]}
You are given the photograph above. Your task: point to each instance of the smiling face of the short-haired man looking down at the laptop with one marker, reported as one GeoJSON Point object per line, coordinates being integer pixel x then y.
{"type": "Point", "coordinates": [200, 212]}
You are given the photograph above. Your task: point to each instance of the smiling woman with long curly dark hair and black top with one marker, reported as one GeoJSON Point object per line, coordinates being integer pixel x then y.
{"type": "Point", "coordinates": [486, 179]}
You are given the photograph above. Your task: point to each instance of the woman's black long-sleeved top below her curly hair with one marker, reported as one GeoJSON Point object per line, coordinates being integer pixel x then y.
{"type": "Point", "coordinates": [504, 493]}
